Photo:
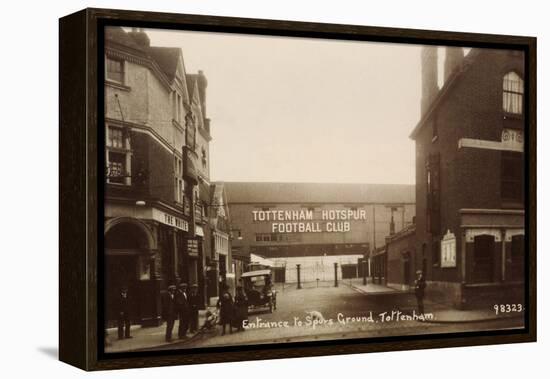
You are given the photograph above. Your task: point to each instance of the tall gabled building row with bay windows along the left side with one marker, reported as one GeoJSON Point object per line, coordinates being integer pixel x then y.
{"type": "Point", "coordinates": [157, 191]}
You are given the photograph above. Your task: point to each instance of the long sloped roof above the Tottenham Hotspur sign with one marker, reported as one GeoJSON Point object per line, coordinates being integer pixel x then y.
{"type": "Point", "coordinates": [305, 193]}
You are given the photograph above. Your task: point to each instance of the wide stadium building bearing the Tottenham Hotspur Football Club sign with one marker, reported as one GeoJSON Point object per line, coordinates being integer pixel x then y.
{"type": "Point", "coordinates": [315, 225]}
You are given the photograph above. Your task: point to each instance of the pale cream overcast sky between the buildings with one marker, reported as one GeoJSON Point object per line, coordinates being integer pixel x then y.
{"type": "Point", "coordinates": [305, 110]}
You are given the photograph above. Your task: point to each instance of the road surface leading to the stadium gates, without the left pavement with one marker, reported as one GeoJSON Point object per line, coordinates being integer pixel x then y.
{"type": "Point", "coordinates": [347, 313]}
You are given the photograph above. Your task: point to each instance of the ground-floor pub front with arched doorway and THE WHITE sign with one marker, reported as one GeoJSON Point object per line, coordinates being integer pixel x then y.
{"type": "Point", "coordinates": [142, 253]}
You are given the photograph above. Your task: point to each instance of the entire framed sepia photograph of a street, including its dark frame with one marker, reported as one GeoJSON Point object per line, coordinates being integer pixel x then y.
{"type": "Point", "coordinates": [241, 189]}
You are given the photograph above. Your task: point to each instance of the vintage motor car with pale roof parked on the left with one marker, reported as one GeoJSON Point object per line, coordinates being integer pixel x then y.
{"type": "Point", "coordinates": [259, 290]}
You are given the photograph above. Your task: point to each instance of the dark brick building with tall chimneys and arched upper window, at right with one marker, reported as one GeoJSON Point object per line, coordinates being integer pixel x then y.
{"type": "Point", "coordinates": [469, 175]}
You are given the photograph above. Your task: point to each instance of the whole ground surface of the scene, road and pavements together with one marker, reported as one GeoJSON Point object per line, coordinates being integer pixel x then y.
{"type": "Point", "coordinates": [350, 310]}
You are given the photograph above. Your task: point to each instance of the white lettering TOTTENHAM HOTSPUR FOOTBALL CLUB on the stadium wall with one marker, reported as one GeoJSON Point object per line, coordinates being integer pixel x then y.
{"type": "Point", "coordinates": [334, 220]}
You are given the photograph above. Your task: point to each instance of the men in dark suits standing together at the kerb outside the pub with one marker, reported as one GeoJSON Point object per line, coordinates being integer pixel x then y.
{"type": "Point", "coordinates": [182, 306]}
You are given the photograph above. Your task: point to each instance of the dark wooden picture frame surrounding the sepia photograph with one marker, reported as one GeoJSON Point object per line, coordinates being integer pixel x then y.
{"type": "Point", "coordinates": [81, 187]}
